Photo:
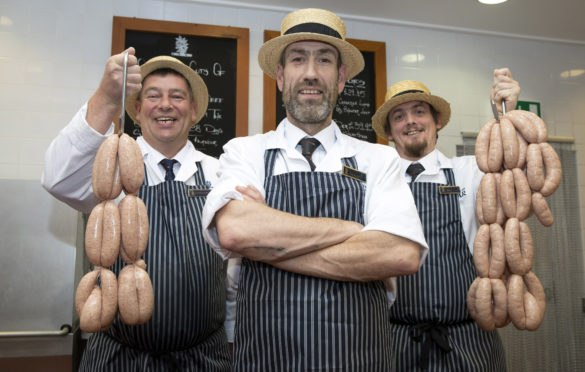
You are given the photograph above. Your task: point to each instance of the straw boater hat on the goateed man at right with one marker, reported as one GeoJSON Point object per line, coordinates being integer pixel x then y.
{"type": "Point", "coordinates": [406, 91]}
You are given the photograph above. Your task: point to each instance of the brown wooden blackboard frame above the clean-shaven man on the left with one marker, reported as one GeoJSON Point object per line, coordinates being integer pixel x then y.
{"type": "Point", "coordinates": [241, 36]}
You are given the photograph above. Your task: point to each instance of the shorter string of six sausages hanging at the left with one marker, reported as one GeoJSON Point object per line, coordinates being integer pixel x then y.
{"type": "Point", "coordinates": [114, 230]}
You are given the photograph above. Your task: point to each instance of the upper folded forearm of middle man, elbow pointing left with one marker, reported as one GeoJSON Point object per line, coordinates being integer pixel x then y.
{"type": "Point", "coordinates": [261, 233]}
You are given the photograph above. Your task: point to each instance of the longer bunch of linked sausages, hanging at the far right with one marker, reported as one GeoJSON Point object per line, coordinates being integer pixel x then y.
{"type": "Point", "coordinates": [521, 169]}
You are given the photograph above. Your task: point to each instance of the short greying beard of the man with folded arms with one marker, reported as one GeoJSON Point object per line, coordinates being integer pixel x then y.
{"type": "Point", "coordinates": [309, 111]}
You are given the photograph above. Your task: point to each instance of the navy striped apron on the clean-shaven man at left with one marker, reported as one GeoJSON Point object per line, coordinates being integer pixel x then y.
{"type": "Point", "coordinates": [186, 330]}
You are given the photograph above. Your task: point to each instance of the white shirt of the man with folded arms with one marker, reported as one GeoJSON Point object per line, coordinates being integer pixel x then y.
{"type": "Point", "coordinates": [389, 205]}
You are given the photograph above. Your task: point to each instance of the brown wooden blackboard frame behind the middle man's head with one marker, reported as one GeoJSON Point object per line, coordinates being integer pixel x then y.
{"type": "Point", "coordinates": [377, 48]}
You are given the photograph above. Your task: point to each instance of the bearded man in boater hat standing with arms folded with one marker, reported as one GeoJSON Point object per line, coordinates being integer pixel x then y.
{"type": "Point", "coordinates": [320, 218]}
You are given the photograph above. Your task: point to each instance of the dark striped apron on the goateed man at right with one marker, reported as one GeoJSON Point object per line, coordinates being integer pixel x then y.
{"type": "Point", "coordinates": [431, 327]}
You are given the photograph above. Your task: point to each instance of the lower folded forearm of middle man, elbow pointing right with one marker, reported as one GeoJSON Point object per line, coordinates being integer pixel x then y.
{"type": "Point", "coordinates": [367, 256]}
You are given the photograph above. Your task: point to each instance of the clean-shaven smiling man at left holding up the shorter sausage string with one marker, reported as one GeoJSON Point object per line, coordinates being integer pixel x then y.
{"type": "Point", "coordinates": [166, 98]}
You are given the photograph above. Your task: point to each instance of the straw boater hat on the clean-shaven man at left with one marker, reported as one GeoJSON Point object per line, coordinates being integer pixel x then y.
{"type": "Point", "coordinates": [198, 87]}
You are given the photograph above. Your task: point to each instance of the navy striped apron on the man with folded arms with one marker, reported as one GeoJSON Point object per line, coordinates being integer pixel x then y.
{"type": "Point", "coordinates": [291, 322]}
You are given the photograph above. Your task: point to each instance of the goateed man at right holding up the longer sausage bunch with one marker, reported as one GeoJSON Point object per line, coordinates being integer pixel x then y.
{"type": "Point", "coordinates": [431, 327]}
